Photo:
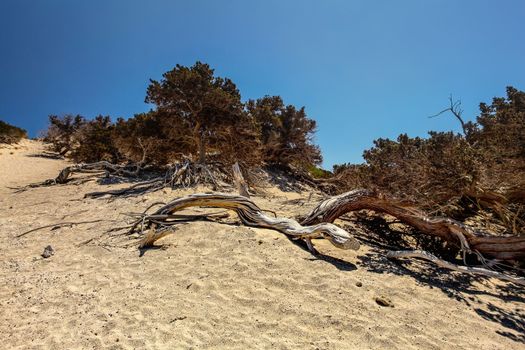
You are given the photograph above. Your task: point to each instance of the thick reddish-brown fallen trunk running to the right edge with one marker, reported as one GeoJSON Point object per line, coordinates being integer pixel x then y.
{"type": "Point", "coordinates": [452, 231]}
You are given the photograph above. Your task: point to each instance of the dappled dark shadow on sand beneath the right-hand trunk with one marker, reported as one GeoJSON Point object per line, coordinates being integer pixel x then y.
{"type": "Point", "coordinates": [455, 285]}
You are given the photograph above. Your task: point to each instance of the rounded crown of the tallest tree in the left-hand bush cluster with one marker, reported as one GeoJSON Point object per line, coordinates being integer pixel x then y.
{"type": "Point", "coordinates": [202, 112]}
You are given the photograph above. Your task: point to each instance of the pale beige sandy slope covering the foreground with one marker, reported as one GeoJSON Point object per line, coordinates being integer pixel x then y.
{"type": "Point", "coordinates": [212, 285]}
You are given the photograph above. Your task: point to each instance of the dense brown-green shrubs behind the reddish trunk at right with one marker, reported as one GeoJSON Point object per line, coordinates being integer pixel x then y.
{"type": "Point", "coordinates": [479, 174]}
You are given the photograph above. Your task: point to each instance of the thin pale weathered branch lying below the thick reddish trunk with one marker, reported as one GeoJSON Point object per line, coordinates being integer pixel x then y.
{"type": "Point", "coordinates": [445, 264]}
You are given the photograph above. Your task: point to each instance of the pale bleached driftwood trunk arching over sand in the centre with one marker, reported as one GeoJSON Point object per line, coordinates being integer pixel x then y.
{"type": "Point", "coordinates": [156, 225]}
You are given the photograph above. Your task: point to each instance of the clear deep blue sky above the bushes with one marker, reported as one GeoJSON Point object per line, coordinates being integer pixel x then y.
{"type": "Point", "coordinates": [363, 69]}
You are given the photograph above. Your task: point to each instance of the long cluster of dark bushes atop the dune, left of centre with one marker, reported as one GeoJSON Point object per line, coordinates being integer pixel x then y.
{"type": "Point", "coordinates": [197, 116]}
